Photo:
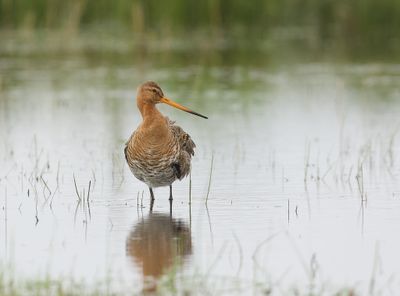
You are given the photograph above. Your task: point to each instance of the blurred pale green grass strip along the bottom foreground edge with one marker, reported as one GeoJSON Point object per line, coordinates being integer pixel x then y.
{"type": "Point", "coordinates": [171, 283]}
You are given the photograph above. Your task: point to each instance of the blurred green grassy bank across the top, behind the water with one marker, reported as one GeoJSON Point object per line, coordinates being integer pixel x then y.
{"type": "Point", "coordinates": [367, 24]}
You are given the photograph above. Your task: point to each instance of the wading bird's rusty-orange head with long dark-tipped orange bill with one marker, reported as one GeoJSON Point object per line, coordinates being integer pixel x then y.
{"type": "Point", "coordinates": [151, 93]}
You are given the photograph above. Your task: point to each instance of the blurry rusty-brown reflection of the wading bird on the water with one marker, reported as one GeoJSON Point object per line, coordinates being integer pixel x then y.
{"type": "Point", "coordinates": [158, 243]}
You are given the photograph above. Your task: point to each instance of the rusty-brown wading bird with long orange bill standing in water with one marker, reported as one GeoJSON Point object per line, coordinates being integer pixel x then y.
{"type": "Point", "coordinates": [158, 152]}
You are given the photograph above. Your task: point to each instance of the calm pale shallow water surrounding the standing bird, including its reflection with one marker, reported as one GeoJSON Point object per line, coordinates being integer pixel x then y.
{"type": "Point", "coordinates": [304, 189]}
